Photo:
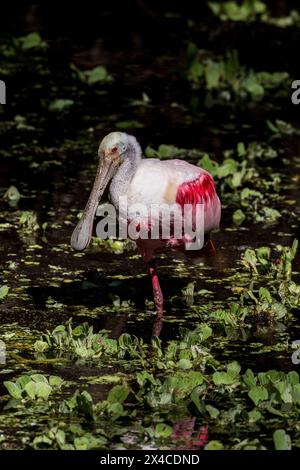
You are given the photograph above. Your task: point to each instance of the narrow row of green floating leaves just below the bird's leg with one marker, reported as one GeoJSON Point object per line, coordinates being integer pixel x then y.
{"type": "Point", "coordinates": [83, 342]}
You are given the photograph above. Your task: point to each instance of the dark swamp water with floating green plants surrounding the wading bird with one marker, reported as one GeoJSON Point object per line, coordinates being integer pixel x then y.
{"type": "Point", "coordinates": [83, 368]}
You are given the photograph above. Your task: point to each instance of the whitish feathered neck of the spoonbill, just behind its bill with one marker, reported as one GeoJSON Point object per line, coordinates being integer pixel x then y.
{"type": "Point", "coordinates": [122, 179]}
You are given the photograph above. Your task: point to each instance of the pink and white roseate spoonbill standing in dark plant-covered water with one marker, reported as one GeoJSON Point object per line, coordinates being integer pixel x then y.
{"type": "Point", "coordinates": [166, 184]}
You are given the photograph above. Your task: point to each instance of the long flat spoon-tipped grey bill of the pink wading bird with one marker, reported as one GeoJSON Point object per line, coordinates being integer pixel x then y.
{"type": "Point", "coordinates": [82, 234]}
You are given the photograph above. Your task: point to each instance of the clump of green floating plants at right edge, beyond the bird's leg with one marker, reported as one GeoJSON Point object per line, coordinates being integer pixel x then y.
{"type": "Point", "coordinates": [264, 304]}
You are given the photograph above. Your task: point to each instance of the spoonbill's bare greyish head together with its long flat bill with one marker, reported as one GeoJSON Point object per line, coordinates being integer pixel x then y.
{"type": "Point", "coordinates": [112, 152]}
